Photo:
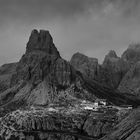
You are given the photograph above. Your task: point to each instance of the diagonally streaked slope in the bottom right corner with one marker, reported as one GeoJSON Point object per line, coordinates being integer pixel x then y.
{"type": "Point", "coordinates": [127, 129]}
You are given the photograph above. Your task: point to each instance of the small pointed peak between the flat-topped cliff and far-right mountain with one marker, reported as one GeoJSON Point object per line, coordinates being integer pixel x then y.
{"type": "Point", "coordinates": [115, 67]}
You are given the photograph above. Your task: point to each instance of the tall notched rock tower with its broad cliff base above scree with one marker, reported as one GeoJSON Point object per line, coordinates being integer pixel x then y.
{"type": "Point", "coordinates": [42, 61]}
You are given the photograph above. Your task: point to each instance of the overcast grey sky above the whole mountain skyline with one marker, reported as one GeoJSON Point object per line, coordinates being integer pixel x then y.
{"type": "Point", "coordinates": [92, 27]}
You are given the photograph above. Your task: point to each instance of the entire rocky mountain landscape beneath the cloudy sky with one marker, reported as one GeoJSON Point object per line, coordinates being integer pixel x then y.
{"type": "Point", "coordinates": [44, 96]}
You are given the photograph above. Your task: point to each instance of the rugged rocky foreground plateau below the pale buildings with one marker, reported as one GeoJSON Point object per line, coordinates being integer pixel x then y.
{"type": "Point", "coordinates": [69, 122]}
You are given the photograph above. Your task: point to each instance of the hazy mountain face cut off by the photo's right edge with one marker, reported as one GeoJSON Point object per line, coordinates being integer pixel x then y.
{"type": "Point", "coordinates": [130, 82]}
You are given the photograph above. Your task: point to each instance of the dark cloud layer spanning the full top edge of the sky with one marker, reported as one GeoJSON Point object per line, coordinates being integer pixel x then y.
{"type": "Point", "coordinates": [39, 9]}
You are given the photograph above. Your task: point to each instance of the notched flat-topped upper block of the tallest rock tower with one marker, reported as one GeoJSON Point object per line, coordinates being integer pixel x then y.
{"type": "Point", "coordinates": [41, 41]}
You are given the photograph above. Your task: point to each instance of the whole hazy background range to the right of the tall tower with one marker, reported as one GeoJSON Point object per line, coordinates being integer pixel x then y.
{"type": "Point", "coordinates": [120, 73]}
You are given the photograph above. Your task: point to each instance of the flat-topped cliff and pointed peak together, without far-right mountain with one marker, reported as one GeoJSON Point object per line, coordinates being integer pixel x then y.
{"type": "Point", "coordinates": [110, 73]}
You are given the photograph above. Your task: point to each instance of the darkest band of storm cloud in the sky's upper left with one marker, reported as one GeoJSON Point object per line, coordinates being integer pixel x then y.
{"type": "Point", "coordinates": [38, 9]}
